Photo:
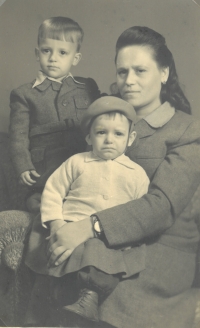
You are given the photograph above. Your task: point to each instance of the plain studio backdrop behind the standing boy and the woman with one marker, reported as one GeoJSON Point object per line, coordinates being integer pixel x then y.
{"type": "Point", "coordinates": [102, 21]}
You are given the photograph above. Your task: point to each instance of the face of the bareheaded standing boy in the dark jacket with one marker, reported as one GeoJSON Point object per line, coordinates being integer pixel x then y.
{"type": "Point", "coordinates": [56, 57]}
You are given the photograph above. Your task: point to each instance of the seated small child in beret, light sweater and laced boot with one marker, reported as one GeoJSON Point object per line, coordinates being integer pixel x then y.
{"type": "Point", "coordinates": [84, 184]}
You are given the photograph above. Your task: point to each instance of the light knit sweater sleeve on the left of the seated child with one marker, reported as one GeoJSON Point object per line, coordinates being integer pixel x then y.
{"type": "Point", "coordinates": [55, 190]}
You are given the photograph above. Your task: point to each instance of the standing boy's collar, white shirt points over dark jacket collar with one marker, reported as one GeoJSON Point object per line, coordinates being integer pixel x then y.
{"type": "Point", "coordinates": [42, 81]}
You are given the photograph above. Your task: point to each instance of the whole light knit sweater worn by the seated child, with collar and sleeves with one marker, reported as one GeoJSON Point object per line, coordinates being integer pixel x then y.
{"type": "Point", "coordinates": [86, 184]}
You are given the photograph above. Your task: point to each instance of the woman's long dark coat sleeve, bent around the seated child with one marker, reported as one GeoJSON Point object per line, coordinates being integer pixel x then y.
{"type": "Point", "coordinates": [171, 189]}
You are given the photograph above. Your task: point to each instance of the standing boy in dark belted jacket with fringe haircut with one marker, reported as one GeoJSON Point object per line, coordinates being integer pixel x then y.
{"type": "Point", "coordinates": [46, 113]}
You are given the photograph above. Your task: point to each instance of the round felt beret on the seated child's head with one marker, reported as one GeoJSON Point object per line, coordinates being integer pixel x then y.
{"type": "Point", "coordinates": [103, 105]}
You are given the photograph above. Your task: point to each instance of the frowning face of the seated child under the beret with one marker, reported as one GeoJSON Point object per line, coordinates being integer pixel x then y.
{"type": "Point", "coordinates": [109, 136]}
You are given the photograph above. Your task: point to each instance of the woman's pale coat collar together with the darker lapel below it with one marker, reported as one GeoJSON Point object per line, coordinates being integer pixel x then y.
{"type": "Point", "coordinates": [158, 118]}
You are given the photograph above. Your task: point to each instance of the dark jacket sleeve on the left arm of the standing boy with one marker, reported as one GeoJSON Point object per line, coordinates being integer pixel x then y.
{"type": "Point", "coordinates": [19, 132]}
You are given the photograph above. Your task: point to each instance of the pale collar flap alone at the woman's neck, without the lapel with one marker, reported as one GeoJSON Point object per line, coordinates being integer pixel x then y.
{"type": "Point", "coordinates": [160, 116]}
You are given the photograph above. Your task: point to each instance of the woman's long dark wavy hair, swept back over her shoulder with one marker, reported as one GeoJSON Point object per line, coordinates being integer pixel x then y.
{"type": "Point", "coordinates": [144, 36]}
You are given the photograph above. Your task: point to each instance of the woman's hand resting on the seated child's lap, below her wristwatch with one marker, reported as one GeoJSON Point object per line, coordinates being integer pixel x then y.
{"type": "Point", "coordinates": [66, 239]}
